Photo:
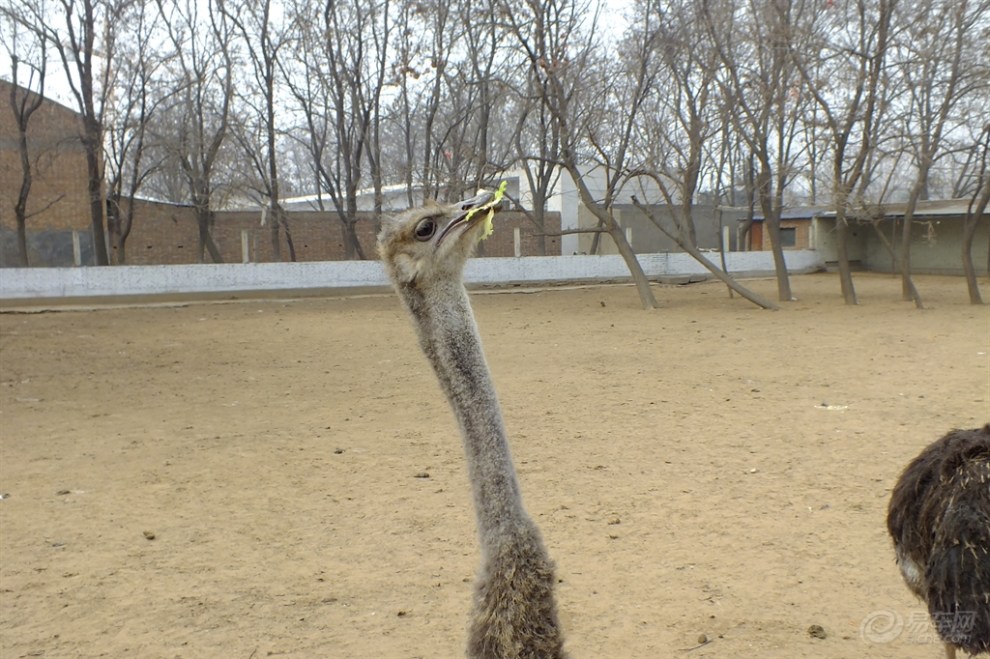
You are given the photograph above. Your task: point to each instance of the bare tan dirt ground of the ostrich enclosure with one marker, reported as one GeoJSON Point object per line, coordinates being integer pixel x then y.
{"type": "Point", "coordinates": [283, 478]}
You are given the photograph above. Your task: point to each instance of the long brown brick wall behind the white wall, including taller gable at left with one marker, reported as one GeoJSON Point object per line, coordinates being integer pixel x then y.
{"type": "Point", "coordinates": [58, 208]}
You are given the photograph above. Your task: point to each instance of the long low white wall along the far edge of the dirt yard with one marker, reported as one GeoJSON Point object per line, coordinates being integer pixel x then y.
{"type": "Point", "coordinates": [46, 283]}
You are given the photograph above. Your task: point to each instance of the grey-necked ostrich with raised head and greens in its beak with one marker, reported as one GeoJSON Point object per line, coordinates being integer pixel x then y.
{"type": "Point", "coordinates": [424, 251]}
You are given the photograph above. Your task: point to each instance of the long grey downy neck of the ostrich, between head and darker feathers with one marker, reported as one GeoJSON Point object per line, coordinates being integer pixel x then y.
{"type": "Point", "coordinates": [450, 340]}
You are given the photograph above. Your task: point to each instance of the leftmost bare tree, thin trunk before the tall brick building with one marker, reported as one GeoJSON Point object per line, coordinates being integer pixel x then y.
{"type": "Point", "coordinates": [26, 96]}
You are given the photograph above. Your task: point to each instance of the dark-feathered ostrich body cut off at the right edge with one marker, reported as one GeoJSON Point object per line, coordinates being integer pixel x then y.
{"type": "Point", "coordinates": [939, 519]}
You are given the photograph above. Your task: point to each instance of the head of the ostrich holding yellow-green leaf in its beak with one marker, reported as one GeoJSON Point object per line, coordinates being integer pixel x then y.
{"type": "Point", "coordinates": [426, 245]}
